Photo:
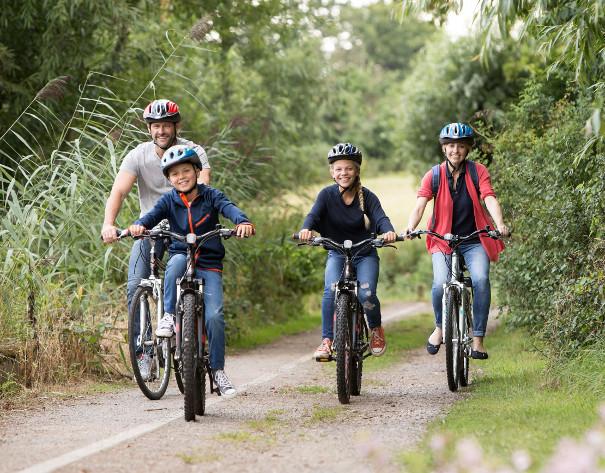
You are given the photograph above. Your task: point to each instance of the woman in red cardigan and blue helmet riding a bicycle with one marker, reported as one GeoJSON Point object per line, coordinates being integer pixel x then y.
{"type": "Point", "coordinates": [460, 183]}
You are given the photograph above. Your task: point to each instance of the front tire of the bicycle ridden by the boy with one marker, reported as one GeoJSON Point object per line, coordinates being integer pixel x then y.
{"type": "Point", "coordinates": [189, 352]}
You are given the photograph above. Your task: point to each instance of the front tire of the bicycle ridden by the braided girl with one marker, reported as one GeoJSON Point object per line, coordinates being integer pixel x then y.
{"type": "Point", "coordinates": [342, 345]}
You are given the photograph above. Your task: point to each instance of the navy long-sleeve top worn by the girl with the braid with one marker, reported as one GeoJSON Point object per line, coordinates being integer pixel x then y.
{"type": "Point", "coordinates": [334, 219]}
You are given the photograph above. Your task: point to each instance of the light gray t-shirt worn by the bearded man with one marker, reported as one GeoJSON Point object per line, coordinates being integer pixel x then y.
{"type": "Point", "coordinates": [144, 163]}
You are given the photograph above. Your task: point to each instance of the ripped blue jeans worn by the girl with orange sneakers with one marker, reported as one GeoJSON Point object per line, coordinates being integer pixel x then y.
{"type": "Point", "coordinates": [367, 275]}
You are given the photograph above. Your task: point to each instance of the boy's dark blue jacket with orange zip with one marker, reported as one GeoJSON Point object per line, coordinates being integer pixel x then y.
{"type": "Point", "coordinates": [199, 216]}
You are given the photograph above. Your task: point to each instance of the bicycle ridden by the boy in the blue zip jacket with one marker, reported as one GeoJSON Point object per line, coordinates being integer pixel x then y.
{"type": "Point", "coordinates": [190, 354]}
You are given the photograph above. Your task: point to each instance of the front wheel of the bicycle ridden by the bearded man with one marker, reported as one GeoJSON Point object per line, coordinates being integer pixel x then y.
{"type": "Point", "coordinates": [154, 387]}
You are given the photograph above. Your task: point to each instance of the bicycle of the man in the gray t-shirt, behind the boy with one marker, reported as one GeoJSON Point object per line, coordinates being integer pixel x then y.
{"type": "Point", "coordinates": [147, 307]}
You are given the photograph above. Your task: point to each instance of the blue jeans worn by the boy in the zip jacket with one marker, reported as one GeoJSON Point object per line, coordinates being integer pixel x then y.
{"type": "Point", "coordinates": [213, 304]}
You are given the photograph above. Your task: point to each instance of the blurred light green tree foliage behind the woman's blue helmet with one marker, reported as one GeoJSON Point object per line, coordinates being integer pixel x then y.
{"type": "Point", "coordinates": [448, 84]}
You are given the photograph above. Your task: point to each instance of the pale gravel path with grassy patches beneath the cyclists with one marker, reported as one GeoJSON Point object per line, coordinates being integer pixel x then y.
{"type": "Point", "coordinates": [286, 418]}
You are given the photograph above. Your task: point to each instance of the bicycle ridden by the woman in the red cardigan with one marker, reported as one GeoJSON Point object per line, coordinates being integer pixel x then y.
{"type": "Point", "coordinates": [457, 302]}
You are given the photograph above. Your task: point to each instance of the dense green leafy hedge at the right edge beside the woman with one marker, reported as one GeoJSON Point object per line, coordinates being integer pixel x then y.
{"type": "Point", "coordinates": [555, 205]}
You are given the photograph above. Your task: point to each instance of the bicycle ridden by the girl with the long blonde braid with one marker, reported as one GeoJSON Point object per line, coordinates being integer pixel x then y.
{"type": "Point", "coordinates": [351, 333]}
